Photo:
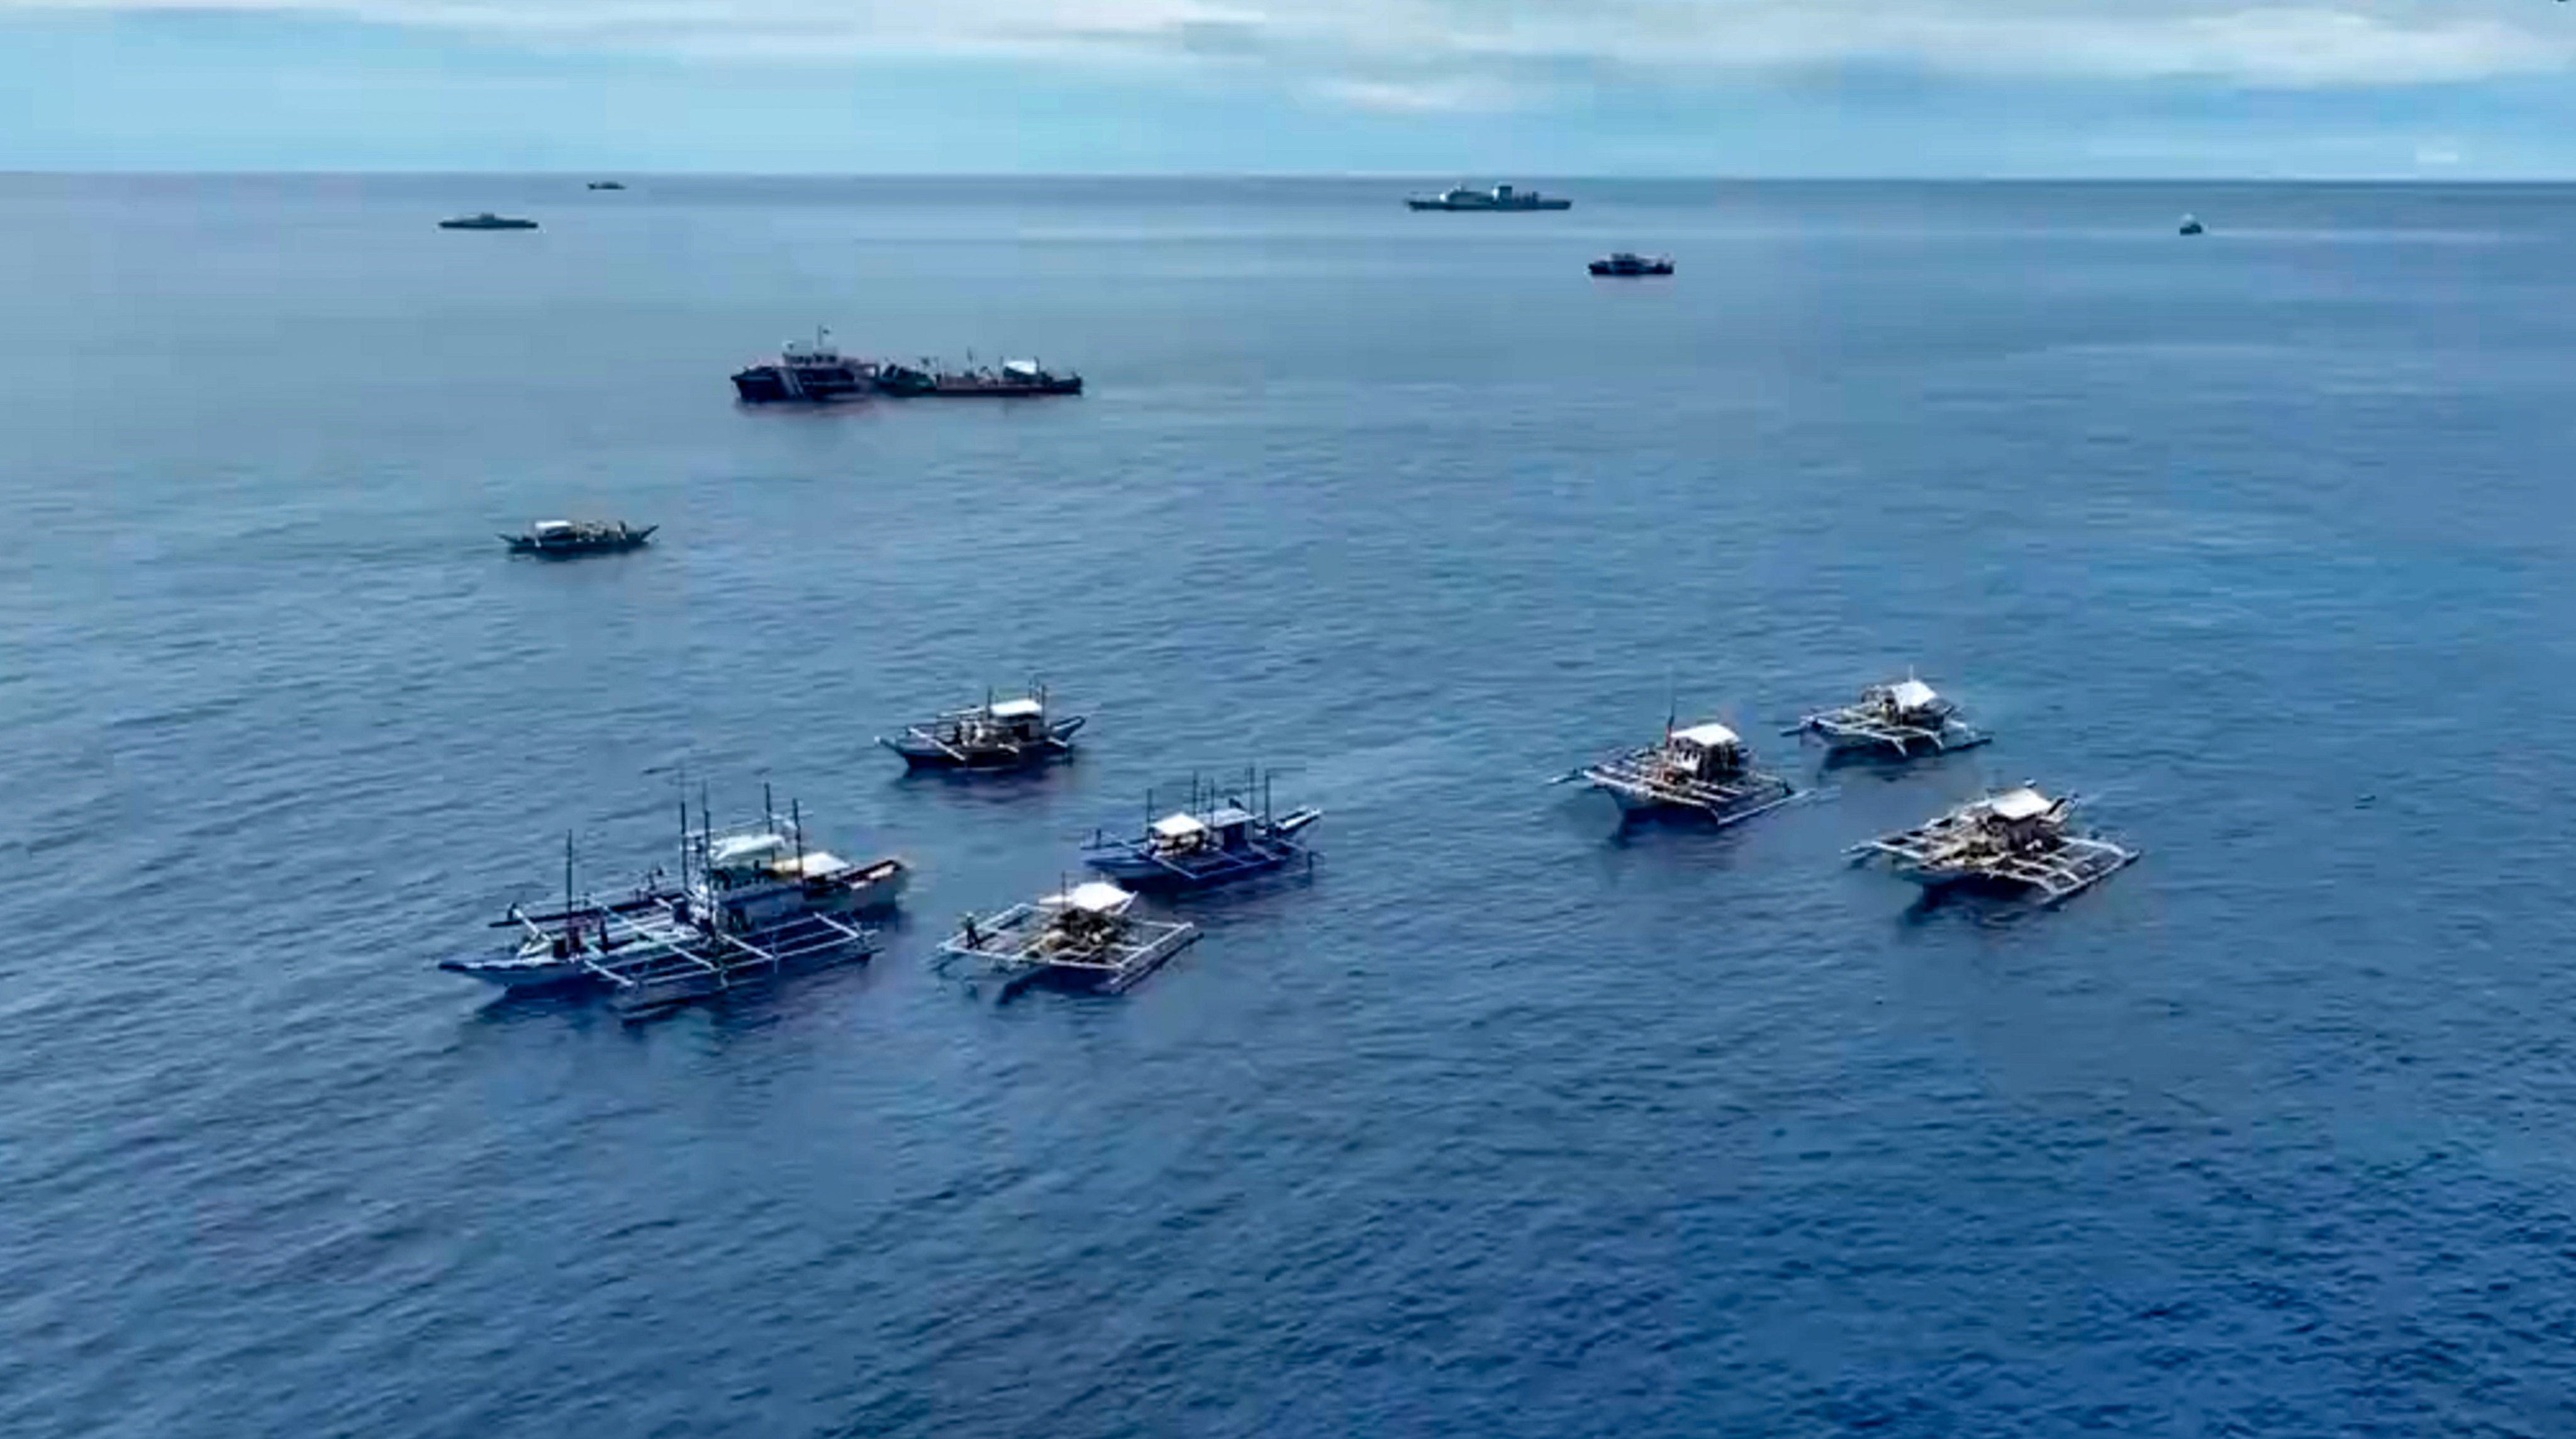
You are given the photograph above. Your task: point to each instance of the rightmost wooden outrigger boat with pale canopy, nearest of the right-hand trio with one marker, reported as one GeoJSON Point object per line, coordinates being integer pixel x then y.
{"type": "Point", "coordinates": [2016, 840]}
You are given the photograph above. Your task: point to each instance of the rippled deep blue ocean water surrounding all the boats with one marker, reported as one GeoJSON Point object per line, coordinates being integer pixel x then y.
{"type": "Point", "coordinates": [1503, 1124]}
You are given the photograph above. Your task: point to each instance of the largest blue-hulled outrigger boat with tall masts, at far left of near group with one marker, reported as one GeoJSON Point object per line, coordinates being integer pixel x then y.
{"type": "Point", "coordinates": [751, 902]}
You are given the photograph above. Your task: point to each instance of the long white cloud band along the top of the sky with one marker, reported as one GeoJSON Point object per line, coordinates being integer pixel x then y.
{"type": "Point", "coordinates": [1421, 55]}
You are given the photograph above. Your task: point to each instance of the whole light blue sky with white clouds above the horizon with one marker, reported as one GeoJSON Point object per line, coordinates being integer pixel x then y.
{"type": "Point", "coordinates": [1488, 89]}
